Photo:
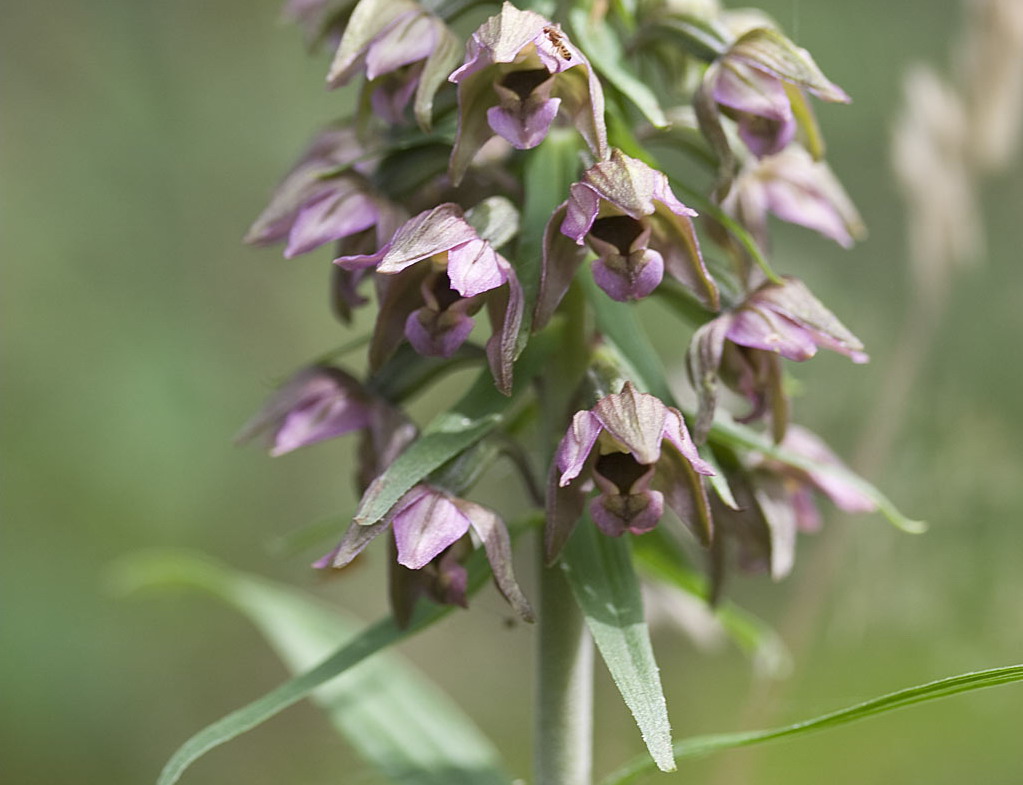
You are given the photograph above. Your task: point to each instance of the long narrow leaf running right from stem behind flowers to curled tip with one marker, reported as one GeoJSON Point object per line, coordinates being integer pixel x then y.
{"type": "Point", "coordinates": [619, 324]}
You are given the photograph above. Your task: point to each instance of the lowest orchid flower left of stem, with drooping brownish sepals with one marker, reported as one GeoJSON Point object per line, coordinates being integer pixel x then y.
{"type": "Point", "coordinates": [428, 521]}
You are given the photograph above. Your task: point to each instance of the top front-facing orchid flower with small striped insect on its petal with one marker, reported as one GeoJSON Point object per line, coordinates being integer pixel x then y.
{"type": "Point", "coordinates": [520, 72]}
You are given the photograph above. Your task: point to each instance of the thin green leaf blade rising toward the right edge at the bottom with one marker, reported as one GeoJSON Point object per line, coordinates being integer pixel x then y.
{"type": "Point", "coordinates": [945, 688]}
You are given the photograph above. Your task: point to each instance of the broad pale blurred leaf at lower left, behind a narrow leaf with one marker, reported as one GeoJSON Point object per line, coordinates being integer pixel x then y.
{"type": "Point", "coordinates": [394, 718]}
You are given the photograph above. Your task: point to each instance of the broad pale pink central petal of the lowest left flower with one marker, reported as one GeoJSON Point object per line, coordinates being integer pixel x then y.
{"type": "Point", "coordinates": [425, 524]}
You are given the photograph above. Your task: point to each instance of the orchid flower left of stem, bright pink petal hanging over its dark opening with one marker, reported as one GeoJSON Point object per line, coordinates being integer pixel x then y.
{"type": "Point", "coordinates": [438, 273]}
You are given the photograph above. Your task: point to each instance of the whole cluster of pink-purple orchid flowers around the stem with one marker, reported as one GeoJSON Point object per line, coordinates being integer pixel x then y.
{"type": "Point", "coordinates": [422, 192]}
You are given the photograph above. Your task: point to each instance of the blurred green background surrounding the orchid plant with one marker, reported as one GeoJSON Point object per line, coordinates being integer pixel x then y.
{"type": "Point", "coordinates": [139, 142]}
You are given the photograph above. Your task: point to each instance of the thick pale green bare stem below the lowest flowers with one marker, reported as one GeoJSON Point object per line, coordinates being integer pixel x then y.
{"type": "Point", "coordinates": [565, 685]}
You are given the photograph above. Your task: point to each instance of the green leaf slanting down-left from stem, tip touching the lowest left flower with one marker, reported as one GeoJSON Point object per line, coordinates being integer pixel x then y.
{"type": "Point", "coordinates": [452, 432]}
